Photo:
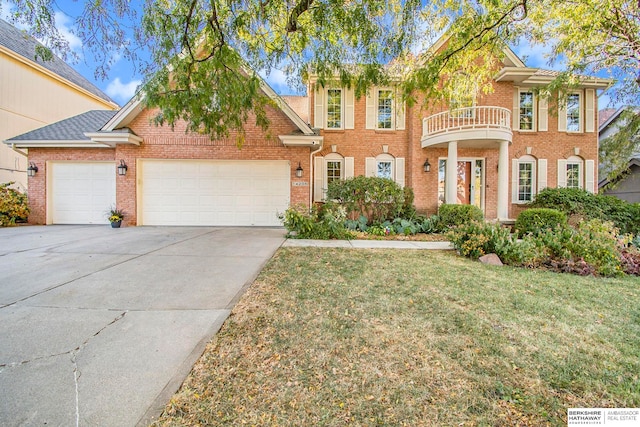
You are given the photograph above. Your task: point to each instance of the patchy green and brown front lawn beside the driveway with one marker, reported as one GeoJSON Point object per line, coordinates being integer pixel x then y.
{"type": "Point", "coordinates": [396, 337]}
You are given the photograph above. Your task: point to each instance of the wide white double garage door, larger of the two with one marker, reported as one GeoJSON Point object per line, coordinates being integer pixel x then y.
{"type": "Point", "coordinates": [213, 192]}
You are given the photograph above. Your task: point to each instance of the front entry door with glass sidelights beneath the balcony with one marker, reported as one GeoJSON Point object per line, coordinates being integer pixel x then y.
{"type": "Point", "coordinates": [469, 181]}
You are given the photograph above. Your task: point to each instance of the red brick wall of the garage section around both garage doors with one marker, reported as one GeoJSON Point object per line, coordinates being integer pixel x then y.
{"type": "Point", "coordinates": [163, 143]}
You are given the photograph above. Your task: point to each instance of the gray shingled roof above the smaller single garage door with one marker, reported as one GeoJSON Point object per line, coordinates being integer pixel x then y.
{"type": "Point", "coordinates": [71, 129]}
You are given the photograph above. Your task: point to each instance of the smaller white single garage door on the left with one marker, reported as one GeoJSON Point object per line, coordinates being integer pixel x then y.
{"type": "Point", "coordinates": [82, 193]}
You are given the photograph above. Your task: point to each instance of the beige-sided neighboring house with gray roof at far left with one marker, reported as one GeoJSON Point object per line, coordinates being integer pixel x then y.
{"type": "Point", "coordinates": [34, 93]}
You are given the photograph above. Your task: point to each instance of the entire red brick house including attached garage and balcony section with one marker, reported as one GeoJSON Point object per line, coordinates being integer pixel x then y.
{"type": "Point", "coordinates": [496, 151]}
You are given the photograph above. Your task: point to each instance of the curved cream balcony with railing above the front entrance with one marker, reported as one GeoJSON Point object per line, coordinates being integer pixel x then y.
{"type": "Point", "coordinates": [479, 127]}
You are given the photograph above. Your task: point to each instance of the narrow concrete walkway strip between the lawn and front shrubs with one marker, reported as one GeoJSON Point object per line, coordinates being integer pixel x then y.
{"type": "Point", "coordinates": [367, 244]}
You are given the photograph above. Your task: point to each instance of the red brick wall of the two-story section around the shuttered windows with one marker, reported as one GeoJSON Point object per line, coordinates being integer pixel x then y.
{"type": "Point", "coordinates": [360, 143]}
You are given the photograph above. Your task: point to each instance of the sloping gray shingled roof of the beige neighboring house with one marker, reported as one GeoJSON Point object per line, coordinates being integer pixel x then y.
{"type": "Point", "coordinates": [25, 45]}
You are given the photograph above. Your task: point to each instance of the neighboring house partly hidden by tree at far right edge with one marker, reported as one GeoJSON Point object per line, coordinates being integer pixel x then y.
{"type": "Point", "coordinates": [628, 186]}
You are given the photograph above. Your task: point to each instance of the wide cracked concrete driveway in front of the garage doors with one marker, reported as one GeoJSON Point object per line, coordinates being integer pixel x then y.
{"type": "Point", "coordinates": [100, 326]}
